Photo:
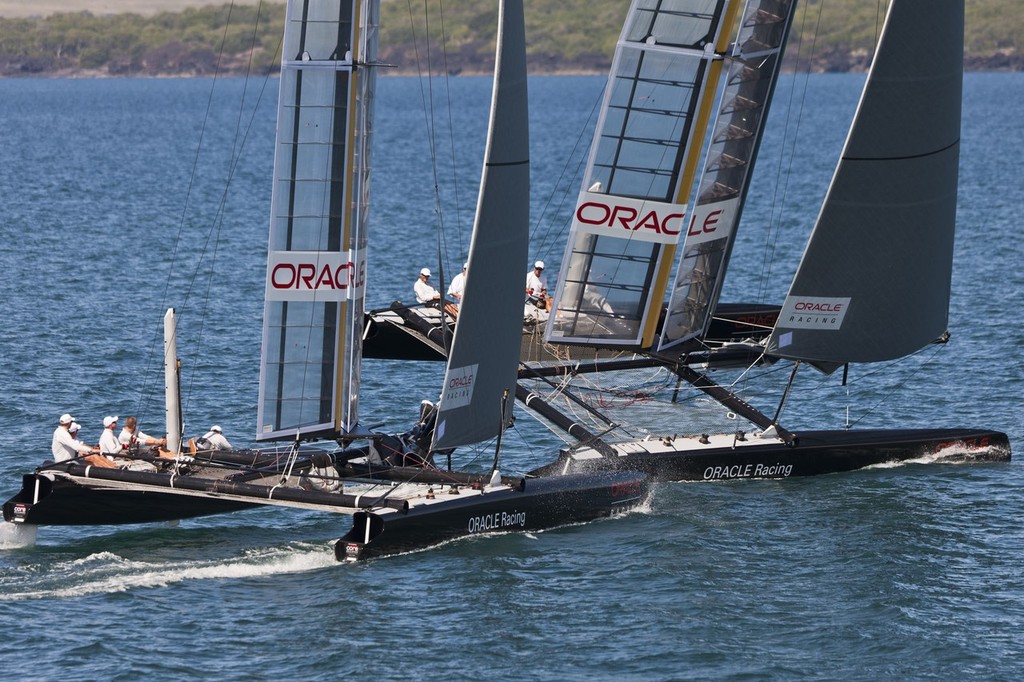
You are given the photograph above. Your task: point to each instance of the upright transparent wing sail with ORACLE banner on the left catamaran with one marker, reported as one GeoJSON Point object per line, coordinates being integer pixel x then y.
{"type": "Point", "coordinates": [313, 319]}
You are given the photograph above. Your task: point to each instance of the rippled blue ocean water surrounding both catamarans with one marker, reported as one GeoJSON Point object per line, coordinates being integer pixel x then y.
{"type": "Point", "coordinates": [114, 207]}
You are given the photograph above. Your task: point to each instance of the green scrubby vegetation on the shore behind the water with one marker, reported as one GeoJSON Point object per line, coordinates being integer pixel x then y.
{"type": "Point", "coordinates": [565, 36]}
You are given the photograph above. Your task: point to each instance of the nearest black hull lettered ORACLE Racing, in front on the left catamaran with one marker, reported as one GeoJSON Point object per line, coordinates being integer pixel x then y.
{"type": "Point", "coordinates": [543, 503]}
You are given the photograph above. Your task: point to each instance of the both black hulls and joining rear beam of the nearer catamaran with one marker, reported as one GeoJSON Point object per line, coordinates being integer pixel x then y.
{"type": "Point", "coordinates": [383, 527]}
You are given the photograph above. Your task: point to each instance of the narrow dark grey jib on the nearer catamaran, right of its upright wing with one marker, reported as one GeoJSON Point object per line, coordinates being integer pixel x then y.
{"type": "Point", "coordinates": [480, 381]}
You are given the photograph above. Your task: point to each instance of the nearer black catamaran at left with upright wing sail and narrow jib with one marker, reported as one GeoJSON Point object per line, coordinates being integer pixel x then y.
{"type": "Point", "coordinates": [313, 331]}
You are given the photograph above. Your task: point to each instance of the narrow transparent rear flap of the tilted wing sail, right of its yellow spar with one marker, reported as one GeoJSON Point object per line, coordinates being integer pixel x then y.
{"type": "Point", "coordinates": [753, 72]}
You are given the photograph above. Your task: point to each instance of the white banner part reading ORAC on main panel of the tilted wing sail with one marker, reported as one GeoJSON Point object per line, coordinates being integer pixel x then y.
{"type": "Point", "coordinates": [629, 219]}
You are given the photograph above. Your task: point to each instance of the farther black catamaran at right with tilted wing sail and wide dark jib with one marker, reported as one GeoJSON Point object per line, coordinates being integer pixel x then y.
{"type": "Point", "coordinates": [669, 173]}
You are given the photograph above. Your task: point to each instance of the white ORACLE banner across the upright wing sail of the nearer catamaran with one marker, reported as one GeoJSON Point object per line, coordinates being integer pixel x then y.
{"type": "Point", "coordinates": [316, 276]}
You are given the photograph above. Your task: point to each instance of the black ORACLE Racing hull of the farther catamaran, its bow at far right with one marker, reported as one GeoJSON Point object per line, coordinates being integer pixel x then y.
{"type": "Point", "coordinates": [815, 453]}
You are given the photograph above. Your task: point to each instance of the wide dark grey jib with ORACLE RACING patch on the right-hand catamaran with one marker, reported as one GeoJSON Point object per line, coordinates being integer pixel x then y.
{"type": "Point", "coordinates": [874, 282]}
